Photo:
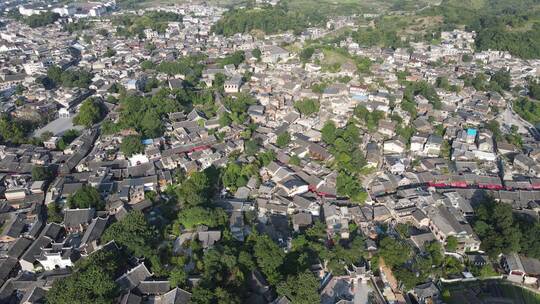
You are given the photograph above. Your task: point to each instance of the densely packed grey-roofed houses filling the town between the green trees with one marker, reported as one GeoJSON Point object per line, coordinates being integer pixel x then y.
{"type": "Point", "coordinates": [427, 181]}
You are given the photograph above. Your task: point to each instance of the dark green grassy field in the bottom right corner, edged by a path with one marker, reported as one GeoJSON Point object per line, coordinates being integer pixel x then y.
{"type": "Point", "coordinates": [492, 291]}
